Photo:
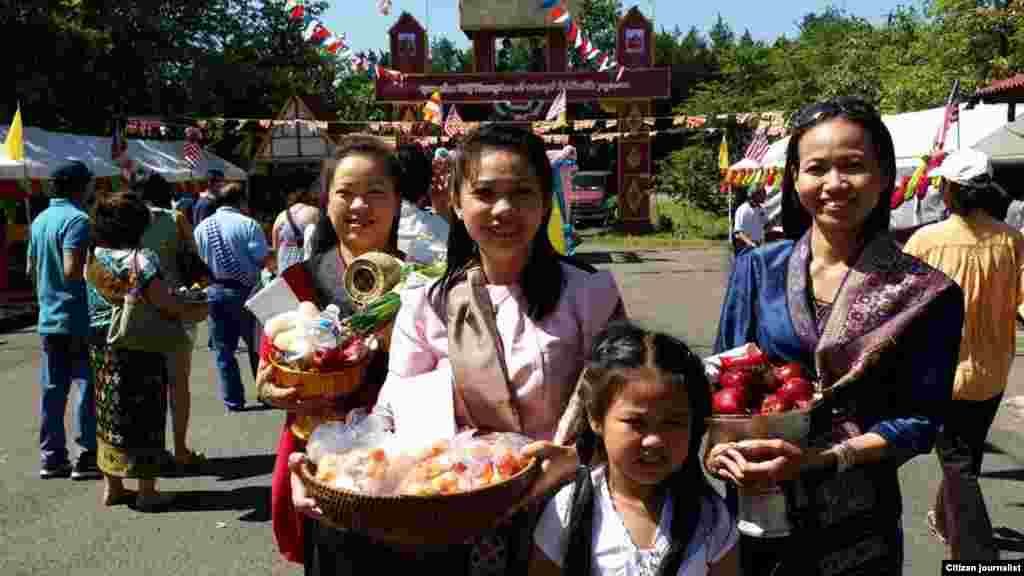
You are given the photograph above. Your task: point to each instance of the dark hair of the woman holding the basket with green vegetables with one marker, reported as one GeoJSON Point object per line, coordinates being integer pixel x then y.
{"type": "Point", "coordinates": [325, 237]}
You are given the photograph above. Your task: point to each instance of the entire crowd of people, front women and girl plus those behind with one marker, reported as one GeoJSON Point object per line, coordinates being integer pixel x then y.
{"type": "Point", "coordinates": [521, 339]}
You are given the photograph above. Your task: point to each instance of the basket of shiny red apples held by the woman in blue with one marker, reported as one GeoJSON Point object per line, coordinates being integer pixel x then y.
{"type": "Point", "coordinates": [756, 398]}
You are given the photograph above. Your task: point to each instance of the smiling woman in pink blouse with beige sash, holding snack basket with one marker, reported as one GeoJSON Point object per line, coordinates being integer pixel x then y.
{"type": "Point", "coordinates": [499, 342]}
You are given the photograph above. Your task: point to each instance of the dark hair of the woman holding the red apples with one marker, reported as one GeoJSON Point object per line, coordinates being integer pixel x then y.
{"type": "Point", "coordinates": [796, 221]}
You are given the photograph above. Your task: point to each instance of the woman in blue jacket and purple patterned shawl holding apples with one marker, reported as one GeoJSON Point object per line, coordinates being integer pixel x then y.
{"type": "Point", "coordinates": [878, 328]}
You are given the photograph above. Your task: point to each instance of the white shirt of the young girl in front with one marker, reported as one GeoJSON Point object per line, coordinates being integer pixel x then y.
{"type": "Point", "coordinates": [613, 551]}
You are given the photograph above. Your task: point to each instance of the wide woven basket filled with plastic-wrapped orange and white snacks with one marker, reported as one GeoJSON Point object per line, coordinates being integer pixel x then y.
{"type": "Point", "coordinates": [369, 480]}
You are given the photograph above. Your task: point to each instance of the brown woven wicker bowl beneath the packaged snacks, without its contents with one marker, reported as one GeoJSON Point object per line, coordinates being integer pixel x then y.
{"type": "Point", "coordinates": [447, 520]}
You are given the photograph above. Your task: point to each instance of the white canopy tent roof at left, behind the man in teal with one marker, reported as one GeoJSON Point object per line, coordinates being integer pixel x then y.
{"type": "Point", "coordinates": [46, 151]}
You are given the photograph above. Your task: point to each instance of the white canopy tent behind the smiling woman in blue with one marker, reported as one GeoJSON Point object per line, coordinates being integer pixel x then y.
{"type": "Point", "coordinates": [914, 134]}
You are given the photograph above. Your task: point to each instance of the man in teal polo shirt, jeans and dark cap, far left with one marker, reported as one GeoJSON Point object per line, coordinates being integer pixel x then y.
{"type": "Point", "coordinates": [58, 246]}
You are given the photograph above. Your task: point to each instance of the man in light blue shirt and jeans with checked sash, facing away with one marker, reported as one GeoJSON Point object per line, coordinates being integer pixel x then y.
{"type": "Point", "coordinates": [234, 248]}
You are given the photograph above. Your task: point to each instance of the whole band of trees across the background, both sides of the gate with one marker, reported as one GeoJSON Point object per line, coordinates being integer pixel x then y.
{"type": "Point", "coordinates": [243, 59]}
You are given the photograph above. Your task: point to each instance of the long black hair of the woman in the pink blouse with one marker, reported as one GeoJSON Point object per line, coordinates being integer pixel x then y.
{"type": "Point", "coordinates": [542, 278]}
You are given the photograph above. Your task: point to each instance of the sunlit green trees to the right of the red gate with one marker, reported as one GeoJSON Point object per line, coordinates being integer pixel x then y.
{"type": "Point", "coordinates": [908, 62]}
